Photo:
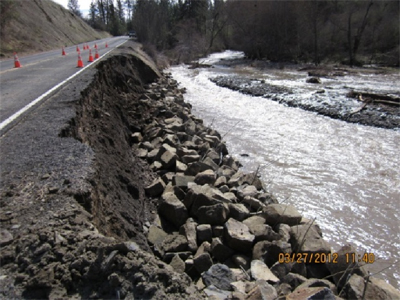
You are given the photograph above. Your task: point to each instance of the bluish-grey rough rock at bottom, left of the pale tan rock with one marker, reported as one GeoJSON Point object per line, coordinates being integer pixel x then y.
{"type": "Point", "coordinates": [220, 276]}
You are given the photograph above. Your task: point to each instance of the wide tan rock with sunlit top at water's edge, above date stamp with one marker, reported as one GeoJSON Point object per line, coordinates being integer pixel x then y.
{"type": "Point", "coordinates": [281, 213]}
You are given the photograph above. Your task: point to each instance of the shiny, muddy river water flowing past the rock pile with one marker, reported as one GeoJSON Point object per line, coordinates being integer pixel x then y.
{"type": "Point", "coordinates": [345, 175]}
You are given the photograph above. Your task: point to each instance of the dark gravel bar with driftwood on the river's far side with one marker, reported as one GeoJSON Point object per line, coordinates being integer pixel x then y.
{"type": "Point", "coordinates": [372, 109]}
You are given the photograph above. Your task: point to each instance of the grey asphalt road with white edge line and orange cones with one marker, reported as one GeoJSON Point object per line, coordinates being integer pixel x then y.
{"type": "Point", "coordinates": [39, 74]}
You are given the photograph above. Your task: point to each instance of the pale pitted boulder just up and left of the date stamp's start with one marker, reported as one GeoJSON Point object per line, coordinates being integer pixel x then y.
{"type": "Point", "coordinates": [238, 236]}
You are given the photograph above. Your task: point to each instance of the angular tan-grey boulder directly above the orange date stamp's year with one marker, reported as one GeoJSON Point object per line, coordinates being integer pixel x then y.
{"type": "Point", "coordinates": [308, 239]}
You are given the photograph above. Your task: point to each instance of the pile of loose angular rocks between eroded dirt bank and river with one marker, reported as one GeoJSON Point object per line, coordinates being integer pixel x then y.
{"type": "Point", "coordinates": [220, 225]}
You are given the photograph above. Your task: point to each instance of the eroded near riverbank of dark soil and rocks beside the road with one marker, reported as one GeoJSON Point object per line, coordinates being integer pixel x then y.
{"type": "Point", "coordinates": [161, 211]}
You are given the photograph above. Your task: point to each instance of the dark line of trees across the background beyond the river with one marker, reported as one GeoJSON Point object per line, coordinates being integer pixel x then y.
{"type": "Point", "coordinates": [352, 32]}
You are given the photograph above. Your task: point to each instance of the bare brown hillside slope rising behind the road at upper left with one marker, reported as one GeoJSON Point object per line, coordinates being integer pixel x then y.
{"type": "Point", "coordinates": [41, 25]}
